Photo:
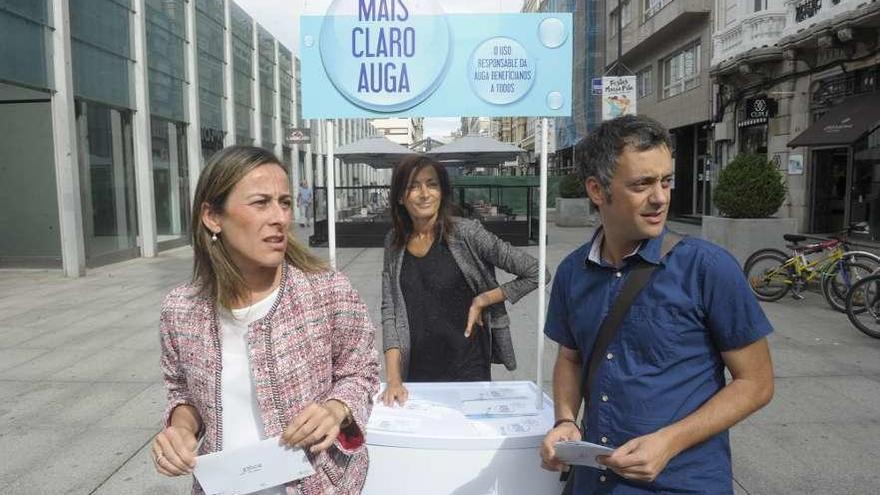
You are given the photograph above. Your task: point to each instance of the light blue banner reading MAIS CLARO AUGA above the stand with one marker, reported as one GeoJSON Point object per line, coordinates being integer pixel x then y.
{"type": "Point", "coordinates": [378, 58]}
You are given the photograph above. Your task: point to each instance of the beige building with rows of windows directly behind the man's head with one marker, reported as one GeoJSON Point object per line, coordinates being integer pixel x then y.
{"type": "Point", "coordinates": [667, 45]}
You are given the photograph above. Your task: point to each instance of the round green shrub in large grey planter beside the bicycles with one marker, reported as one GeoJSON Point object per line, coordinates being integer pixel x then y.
{"type": "Point", "coordinates": [749, 191]}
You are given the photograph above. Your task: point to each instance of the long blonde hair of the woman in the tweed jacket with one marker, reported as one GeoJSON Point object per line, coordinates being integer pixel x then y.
{"type": "Point", "coordinates": [214, 270]}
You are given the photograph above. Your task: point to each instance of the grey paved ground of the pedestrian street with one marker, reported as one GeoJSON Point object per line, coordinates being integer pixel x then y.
{"type": "Point", "coordinates": [81, 394]}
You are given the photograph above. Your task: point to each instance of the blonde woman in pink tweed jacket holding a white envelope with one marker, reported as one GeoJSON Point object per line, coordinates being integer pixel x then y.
{"type": "Point", "coordinates": [266, 341]}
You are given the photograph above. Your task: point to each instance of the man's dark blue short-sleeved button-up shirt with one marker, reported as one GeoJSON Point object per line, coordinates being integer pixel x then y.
{"type": "Point", "coordinates": [664, 362]}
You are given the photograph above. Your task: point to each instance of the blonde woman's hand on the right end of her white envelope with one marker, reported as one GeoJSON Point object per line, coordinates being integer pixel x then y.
{"type": "Point", "coordinates": [316, 426]}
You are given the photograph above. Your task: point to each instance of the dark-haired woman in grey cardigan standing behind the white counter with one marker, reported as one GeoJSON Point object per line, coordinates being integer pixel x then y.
{"type": "Point", "coordinates": [443, 313]}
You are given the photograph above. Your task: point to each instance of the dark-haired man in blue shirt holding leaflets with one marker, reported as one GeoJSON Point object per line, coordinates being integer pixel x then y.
{"type": "Point", "coordinates": [659, 395]}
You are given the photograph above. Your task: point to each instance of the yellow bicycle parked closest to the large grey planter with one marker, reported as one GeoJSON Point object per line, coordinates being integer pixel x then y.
{"type": "Point", "coordinates": [773, 273]}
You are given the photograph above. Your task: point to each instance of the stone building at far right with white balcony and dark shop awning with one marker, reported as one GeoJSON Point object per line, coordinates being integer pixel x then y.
{"type": "Point", "coordinates": [799, 81]}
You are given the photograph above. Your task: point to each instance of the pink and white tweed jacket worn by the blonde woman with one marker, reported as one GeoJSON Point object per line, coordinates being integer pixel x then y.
{"type": "Point", "coordinates": [315, 344]}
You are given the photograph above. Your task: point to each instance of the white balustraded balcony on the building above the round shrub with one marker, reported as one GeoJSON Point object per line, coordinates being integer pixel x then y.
{"type": "Point", "coordinates": [758, 30]}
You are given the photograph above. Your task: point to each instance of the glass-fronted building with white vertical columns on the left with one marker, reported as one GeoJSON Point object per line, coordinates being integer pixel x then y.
{"type": "Point", "coordinates": [108, 110]}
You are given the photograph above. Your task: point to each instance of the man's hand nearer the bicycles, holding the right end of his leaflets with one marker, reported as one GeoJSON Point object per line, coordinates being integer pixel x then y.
{"type": "Point", "coordinates": [642, 458]}
